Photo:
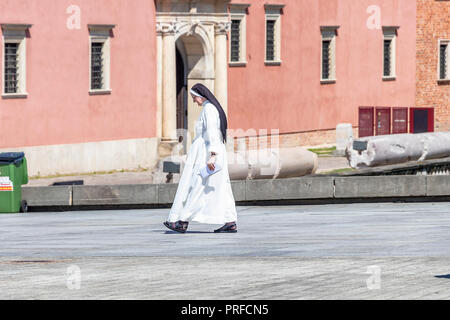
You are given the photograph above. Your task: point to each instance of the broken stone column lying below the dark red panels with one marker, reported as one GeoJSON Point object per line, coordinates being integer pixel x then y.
{"type": "Point", "coordinates": [397, 148]}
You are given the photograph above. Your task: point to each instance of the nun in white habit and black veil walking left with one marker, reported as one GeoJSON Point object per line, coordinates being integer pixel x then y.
{"type": "Point", "coordinates": [204, 192]}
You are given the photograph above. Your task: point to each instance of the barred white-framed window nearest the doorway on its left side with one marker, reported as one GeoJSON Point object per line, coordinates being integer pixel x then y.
{"type": "Point", "coordinates": [99, 59]}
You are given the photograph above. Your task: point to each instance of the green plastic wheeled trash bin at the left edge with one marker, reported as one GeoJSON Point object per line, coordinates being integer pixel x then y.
{"type": "Point", "coordinates": [13, 174]}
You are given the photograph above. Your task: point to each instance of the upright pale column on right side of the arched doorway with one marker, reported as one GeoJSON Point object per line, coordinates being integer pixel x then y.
{"type": "Point", "coordinates": [220, 85]}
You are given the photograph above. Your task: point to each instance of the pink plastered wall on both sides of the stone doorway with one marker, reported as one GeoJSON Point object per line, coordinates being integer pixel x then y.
{"type": "Point", "coordinates": [59, 109]}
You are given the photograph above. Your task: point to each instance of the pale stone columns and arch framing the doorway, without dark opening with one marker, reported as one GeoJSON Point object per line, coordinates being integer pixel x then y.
{"type": "Point", "coordinates": [202, 38]}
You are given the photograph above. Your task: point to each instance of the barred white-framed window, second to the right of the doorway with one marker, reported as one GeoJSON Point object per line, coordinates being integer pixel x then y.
{"type": "Point", "coordinates": [273, 34]}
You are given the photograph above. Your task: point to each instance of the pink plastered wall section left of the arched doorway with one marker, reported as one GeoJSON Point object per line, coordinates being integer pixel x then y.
{"type": "Point", "coordinates": [59, 109]}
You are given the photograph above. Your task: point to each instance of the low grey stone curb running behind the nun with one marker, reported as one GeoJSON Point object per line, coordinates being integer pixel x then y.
{"type": "Point", "coordinates": [316, 189]}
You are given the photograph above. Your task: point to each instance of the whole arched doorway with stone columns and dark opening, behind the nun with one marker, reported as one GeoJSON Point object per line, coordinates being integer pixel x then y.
{"type": "Point", "coordinates": [196, 44]}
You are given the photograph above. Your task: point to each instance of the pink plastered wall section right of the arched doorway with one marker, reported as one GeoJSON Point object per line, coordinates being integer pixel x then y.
{"type": "Point", "coordinates": [290, 97]}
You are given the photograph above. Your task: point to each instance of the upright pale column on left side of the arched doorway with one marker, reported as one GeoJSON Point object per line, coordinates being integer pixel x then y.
{"type": "Point", "coordinates": [169, 112]}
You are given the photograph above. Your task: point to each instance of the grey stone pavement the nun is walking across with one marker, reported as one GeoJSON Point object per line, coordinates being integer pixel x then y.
{"type": "Point", "coordinates": [347, 251]}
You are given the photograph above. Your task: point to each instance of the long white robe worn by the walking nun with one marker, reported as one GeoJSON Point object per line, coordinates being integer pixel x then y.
{"type": "Point", "coordinates": [205, 200]}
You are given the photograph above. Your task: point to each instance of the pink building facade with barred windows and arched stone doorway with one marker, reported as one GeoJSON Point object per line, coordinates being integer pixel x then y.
{"type": "Point", "coordinates": [100, 85]}
